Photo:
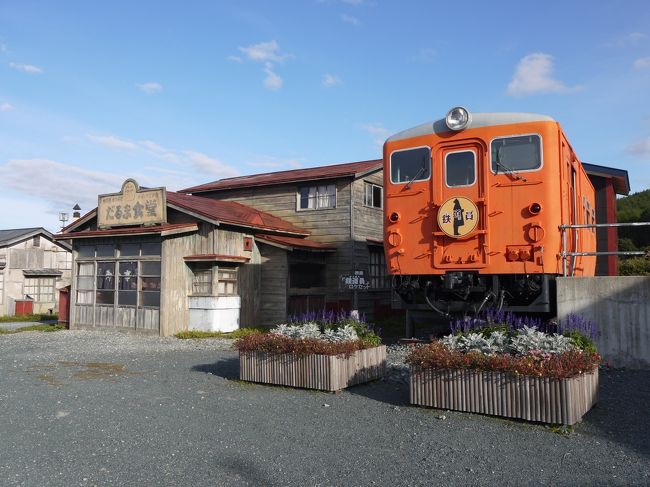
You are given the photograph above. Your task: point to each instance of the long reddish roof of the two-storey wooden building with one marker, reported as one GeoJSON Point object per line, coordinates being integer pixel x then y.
{"type": "Point", "coordinates": [349, 169]}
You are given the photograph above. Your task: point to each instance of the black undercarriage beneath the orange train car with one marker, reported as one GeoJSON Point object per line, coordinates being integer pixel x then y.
{"type": "Point", "coordinates": [469, 293]}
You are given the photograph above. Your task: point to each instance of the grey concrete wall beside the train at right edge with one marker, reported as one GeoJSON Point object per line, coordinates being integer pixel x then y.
{"type": "Point", "coordinates": [620, 306]}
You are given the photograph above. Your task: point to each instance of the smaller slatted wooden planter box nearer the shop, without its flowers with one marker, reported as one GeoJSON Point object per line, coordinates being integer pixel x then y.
{"type": "Point", "coordinates": [323, 372]}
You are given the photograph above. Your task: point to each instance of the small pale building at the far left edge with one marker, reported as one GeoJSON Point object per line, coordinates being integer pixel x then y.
{"type": "Point", "coordinates": [33, 266]}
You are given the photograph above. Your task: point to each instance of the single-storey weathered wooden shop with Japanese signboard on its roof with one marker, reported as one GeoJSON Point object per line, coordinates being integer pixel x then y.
{"type": "Point", "coordinates": [158, 262]}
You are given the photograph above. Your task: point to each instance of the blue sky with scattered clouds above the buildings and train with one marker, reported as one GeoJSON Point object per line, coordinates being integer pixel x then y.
{"type": "Point", "coordinates": [180, 93]}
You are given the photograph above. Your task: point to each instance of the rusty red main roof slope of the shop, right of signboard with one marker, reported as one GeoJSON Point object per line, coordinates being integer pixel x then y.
{"type": "Point", "coordinates": [233, 213]}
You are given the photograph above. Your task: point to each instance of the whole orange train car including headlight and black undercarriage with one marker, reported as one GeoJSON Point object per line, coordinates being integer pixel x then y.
{"type": "Point", "coordinates": [473, 205]}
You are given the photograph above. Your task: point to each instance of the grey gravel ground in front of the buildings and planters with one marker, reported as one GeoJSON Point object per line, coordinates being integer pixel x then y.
{"type": "Point", "coordinates": [85, 408]}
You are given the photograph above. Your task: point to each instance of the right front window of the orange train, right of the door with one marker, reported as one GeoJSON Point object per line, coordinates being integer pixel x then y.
{"type": "Point", "coordinates": [520, 153]}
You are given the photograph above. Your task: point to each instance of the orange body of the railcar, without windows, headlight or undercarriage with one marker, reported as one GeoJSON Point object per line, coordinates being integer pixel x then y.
{"type": "Point", "coordinates": [510, 219]}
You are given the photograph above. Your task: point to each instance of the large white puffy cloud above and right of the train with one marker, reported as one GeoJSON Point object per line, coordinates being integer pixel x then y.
{"type": "Point", "coordinates": [534, 75]}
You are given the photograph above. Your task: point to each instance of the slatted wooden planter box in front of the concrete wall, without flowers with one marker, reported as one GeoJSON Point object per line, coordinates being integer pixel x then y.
{"type": "Point", "coordinates": [556, 401]}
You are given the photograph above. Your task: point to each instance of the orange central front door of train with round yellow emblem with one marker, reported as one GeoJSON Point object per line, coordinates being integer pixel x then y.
{"type": "Point", "coordinates": [458, 194]}
